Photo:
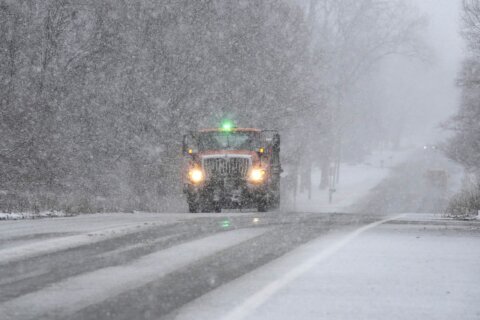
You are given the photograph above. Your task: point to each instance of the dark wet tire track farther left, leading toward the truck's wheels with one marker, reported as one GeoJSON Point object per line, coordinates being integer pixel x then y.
{"type": "Point", "coordinates": [32, 274]}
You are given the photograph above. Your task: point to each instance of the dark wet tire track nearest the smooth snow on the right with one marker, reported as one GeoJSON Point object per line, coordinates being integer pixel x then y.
{"type": "Point", "coordinates": [160, 298]}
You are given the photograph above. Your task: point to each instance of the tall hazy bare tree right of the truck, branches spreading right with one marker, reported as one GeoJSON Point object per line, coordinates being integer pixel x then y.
{"type": "Point", "coordinates": [348, 40]}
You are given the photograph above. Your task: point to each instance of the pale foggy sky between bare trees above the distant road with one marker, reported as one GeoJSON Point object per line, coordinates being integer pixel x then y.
{"type": "Point", "coordinates": [424, 92]}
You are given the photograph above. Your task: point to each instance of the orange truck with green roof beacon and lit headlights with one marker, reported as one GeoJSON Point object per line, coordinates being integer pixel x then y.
{"type": "Point", "coordinates": [229, 167]}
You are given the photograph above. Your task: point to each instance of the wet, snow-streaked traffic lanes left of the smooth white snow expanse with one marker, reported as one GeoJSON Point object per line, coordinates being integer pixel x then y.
{"type": "Point", "coordinates": [53, 284]}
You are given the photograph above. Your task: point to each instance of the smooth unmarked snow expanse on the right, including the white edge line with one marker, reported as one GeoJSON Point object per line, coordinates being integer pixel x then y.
{"type": "Point", "coordinates": [407, 268]}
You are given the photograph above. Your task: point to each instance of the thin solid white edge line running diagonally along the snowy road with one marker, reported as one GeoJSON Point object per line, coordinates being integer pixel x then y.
{"type": "Point", "coordinates": [257, 299]}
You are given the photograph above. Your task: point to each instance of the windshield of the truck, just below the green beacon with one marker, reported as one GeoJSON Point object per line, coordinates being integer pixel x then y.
{"type": "Point", "coordinates": [237, 140]}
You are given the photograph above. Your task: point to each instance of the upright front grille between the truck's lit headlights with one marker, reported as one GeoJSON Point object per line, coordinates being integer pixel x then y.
{"type": "Point", "coordinates": [235, 166]}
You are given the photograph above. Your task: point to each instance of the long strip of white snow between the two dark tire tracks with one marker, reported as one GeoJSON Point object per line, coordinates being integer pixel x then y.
{"type": "Point", "coordinates": [73, 294]}
